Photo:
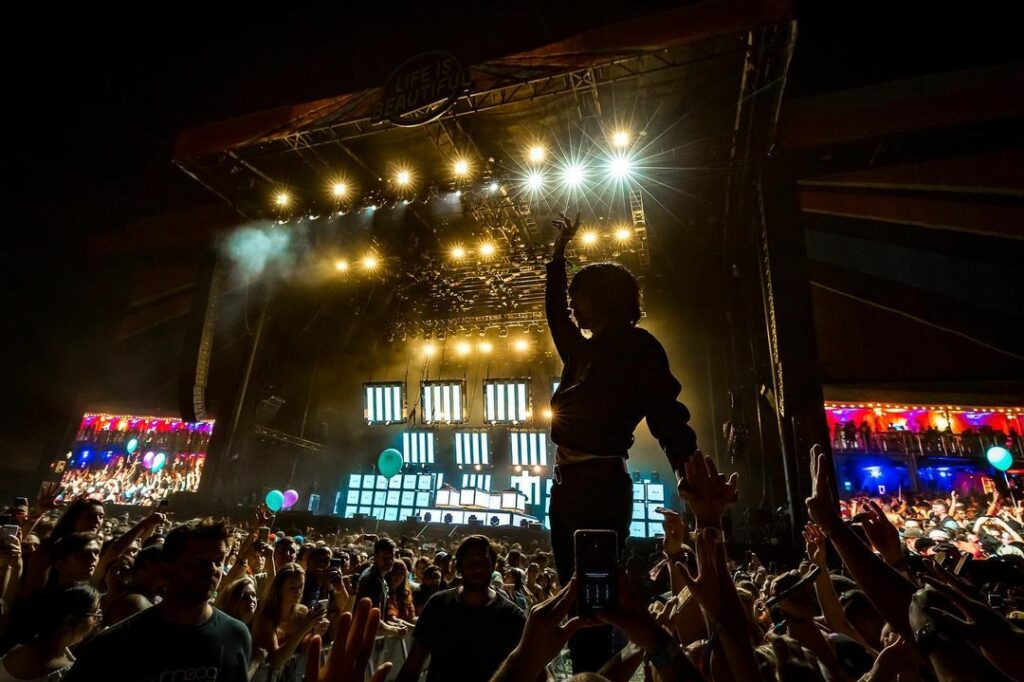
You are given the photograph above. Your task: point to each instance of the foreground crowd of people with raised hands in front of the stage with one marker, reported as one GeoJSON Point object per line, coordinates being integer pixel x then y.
{"type": "Point", "coordinates": [879, 595]}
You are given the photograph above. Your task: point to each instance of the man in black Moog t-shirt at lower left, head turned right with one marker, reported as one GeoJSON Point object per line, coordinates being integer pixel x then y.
{"type": "Point", "coordinates": [184, 637]}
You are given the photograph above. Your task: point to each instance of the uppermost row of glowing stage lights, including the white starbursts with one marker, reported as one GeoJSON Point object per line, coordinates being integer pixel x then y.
{"type": "Point", "coordinates": [572, 175]}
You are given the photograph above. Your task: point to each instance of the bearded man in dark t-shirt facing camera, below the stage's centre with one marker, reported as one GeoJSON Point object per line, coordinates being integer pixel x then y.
{"type": "Point", "coordinates": [466, 631]}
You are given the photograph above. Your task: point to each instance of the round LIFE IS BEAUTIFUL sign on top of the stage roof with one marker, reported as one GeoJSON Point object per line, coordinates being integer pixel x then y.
{"type": "Point", "coordinates": [421, 91]}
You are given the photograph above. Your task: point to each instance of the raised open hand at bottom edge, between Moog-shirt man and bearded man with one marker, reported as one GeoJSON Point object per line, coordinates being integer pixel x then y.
{"type": "Point", "coordinates": [354, 645]}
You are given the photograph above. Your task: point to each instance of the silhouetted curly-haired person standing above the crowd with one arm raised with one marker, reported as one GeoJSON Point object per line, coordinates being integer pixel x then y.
{"type": "Point", "coordinates": [612, 379]}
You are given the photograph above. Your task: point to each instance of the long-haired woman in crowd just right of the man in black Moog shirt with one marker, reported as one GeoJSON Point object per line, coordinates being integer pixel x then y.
{"type": "Point", "coordinates": [282, 622]}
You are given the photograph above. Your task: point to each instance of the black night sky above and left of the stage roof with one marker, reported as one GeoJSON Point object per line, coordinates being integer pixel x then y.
{"type": "Point", "coordinates": [95, 104]}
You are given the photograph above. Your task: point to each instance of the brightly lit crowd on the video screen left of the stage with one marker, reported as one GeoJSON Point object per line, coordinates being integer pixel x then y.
{"type": "Point", "coordinates": [131, 484]}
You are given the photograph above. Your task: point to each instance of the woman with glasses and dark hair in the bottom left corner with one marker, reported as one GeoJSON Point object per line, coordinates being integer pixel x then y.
{"type": "Point", "coordinates": [63, 618]}
